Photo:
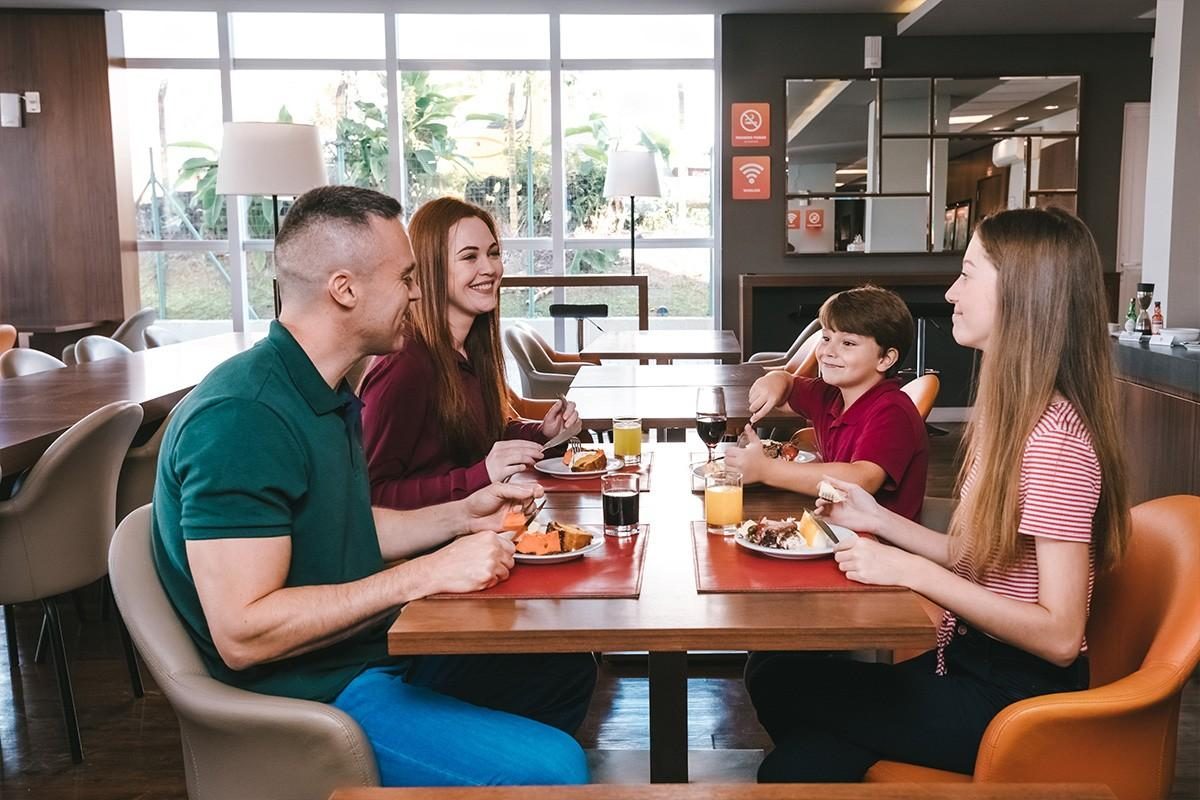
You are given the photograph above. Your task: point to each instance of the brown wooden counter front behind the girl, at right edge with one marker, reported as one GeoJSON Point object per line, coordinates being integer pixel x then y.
{"type": "Point", "coordinates": [1162, 440]}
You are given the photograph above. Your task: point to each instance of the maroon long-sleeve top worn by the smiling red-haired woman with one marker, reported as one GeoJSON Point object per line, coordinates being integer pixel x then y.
{"type": "Point", "coordinates": [409, 460]}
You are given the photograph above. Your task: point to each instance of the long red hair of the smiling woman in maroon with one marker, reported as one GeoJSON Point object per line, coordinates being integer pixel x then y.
{"type": "Point", "coordinates": [469, 437]}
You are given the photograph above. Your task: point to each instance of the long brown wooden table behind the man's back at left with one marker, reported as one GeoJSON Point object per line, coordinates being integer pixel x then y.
{"type": "Point", "coordinates": [38, 410]}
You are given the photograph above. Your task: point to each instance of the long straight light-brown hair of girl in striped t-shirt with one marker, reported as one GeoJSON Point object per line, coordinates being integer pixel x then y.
{"type": "Point", "coordinates": [1049, 336]}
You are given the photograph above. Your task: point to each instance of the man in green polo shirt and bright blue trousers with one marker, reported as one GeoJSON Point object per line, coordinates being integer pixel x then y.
{"type": "Point", "coordinates": [267, 544]}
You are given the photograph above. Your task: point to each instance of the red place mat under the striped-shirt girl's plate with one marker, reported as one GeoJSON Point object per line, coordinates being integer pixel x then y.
{"type": "Point", "coordinates": [722, 567]}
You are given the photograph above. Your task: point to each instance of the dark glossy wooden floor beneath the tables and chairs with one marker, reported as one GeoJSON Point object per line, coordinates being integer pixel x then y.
{"type": "Point", "coordinates": [133, 748]}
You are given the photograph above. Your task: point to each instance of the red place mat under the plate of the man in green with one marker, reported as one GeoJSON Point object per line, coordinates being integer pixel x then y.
{"type": "Point", "coordinates": [614, 572]}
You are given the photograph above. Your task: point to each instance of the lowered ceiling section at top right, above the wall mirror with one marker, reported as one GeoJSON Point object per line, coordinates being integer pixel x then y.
{"type": "Point", "coordinates": [987, 17]}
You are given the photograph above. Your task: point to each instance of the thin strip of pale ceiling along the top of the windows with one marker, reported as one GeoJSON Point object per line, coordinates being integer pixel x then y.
{"type": "Point", "coordinates": [495, 7]}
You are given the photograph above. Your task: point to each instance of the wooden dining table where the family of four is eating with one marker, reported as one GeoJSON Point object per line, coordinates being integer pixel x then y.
{"type": "Point", "coordinates": [670, 617]}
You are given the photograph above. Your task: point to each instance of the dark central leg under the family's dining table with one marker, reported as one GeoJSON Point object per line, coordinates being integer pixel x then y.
{"type": "Point", "coordinates": [669, 718]}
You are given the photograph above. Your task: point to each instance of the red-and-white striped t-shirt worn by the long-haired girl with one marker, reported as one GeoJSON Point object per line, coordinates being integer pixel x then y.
{"type": "Point", "coordinates": [1059, 494]}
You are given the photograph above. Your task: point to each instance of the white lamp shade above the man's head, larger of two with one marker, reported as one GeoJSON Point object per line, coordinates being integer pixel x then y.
{"type": "Point", "coordinates": [269, 159]}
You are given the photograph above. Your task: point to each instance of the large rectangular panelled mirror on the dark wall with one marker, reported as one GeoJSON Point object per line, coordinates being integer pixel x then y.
{"type": "Point", "coordinates": [911, 165]}
